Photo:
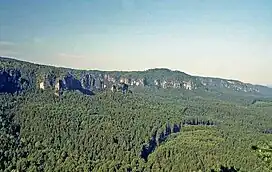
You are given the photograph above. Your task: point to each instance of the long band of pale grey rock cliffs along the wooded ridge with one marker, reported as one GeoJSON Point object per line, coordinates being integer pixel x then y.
{"type": "Point", "coordinates": [93, 82]}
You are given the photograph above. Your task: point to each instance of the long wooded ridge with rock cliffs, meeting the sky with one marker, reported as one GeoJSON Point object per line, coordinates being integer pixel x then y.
{"type": "Point", "coordinates": [87, 81]}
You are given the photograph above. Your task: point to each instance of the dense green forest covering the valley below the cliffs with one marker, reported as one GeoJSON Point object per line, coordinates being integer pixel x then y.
{"type": "Point", "coordinates": [151, 129]}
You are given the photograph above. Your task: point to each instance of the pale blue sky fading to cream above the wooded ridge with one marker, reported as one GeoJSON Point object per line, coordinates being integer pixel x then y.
{"type": "Point", "coordinates": [221, 38]}
